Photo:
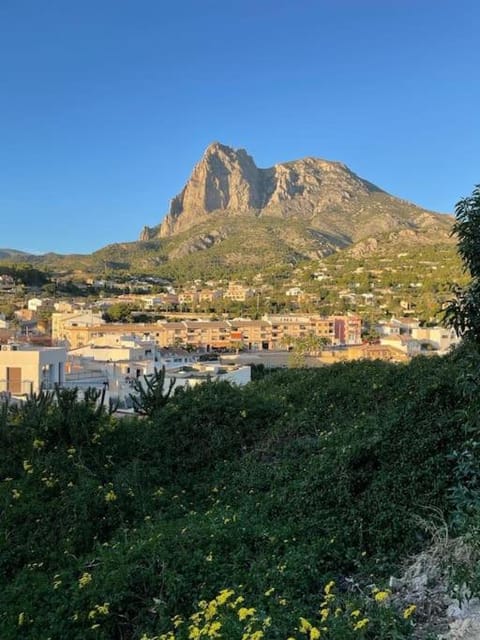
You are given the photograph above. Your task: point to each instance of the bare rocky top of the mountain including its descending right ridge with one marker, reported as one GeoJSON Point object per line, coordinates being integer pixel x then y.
{"type": "Point", "coordinates": [327, 193]}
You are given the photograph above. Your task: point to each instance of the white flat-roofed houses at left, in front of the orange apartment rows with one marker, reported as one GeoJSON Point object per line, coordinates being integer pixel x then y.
{"type": "Point", "coordinates": [27, 369]}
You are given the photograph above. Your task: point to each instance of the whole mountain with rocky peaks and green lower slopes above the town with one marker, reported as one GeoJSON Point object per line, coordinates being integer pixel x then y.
{"type": "Point", "coordinates": [232, 217]}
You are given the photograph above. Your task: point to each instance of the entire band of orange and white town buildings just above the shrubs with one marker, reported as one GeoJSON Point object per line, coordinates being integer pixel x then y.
{"type": "Point", "coordinates": [87, 351]}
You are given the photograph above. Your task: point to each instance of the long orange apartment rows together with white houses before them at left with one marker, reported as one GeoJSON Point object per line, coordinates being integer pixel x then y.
{"type": "Point", "coordinates": [90, 352]}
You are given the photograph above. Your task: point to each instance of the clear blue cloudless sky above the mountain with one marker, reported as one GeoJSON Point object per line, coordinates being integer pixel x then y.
{"type": "Point", "coordinates": [106, 105]}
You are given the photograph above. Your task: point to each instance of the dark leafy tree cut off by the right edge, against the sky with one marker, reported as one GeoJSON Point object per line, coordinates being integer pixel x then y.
{"type": "Point", "coordinates": [463, 312]}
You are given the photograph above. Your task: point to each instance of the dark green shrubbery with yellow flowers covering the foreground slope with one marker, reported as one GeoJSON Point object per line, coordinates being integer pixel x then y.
{"type": "Point", "coordinates": [270, 493]}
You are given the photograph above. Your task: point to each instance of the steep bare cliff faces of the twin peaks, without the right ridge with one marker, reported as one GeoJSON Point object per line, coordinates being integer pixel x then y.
{"type": "Point", "coordinates": [227, 179]}
